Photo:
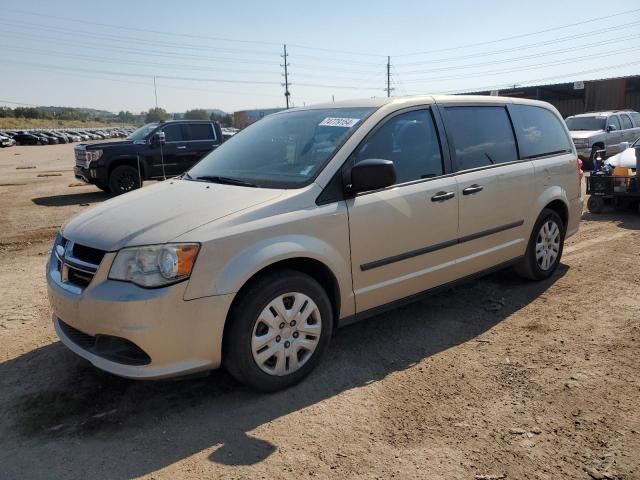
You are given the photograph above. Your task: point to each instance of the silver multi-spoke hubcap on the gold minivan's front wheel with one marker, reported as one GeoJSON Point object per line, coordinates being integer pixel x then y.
{"type": "Point", "coordinates": [286, 334]}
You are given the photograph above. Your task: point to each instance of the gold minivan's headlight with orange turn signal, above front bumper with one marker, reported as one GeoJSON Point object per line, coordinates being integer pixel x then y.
{"type": "Point", "coordinates": [154, 265]}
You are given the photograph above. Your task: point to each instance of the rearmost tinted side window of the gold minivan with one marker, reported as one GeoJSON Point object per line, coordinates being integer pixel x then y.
{"type": "Point", "coordinates": [539, 132]}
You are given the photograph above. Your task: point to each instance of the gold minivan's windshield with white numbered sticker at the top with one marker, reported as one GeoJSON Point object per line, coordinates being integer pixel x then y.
{"type": "Point", "coordinates": [283, 150]}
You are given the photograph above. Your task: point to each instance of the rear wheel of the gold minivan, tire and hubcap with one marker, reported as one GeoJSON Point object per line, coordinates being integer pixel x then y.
{"type": "Point", "coordinates": [545, 247]}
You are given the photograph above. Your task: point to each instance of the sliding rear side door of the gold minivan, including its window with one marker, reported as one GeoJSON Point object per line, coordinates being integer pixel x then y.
{"type": "Point", "coordinates": [495, 185]}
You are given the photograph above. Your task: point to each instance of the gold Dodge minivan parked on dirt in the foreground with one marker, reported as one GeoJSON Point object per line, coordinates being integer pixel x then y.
{"type": "Point", "coordinates": [310, 219]}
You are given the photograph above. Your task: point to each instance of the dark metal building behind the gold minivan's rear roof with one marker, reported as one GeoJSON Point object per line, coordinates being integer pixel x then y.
{"type": "Point", "coordinates": [579, 97]}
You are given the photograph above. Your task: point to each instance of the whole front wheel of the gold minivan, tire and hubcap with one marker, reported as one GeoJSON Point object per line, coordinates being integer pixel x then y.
{"type": "Point", "coordinates": [279, 327]}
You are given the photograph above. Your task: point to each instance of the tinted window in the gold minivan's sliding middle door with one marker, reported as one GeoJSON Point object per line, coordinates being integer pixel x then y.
{"type": "Point", "coordinates": [482, 136]}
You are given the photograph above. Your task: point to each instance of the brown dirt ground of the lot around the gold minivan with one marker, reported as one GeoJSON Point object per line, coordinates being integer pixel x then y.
{"type": "Point", "coordinates": [499, 378]}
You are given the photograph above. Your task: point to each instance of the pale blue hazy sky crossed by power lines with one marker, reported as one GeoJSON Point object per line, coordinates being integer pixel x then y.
{"type": "Point", "coordinates": [227, 55]}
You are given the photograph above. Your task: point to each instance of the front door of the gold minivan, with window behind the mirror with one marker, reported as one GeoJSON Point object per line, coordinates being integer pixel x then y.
{"type": "Point", "coordinates": [402, 237]}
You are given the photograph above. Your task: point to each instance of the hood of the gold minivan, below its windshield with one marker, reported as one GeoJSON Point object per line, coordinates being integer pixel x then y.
{"type": "Point", "coordinates": [160, 213]}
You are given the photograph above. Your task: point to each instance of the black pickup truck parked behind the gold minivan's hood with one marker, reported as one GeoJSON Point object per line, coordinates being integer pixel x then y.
{"type": "Point", "coordinates": [155, 151]}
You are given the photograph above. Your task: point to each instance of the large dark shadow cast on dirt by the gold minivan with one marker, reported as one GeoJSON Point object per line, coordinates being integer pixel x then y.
{"type": "Point", "coordinates": [56, 406]}
